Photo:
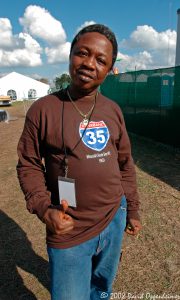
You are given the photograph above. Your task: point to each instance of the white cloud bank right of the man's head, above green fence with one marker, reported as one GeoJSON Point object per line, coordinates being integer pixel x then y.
{"type": "Point", "coordinates": [151, 49]}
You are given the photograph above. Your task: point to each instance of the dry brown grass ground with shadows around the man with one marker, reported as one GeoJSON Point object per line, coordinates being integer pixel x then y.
{"type": "Point", "coordinates": [150, 264]}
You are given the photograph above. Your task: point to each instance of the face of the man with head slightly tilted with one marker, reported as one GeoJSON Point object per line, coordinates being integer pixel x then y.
{"type": "Point", "coordinates": [90, 61]}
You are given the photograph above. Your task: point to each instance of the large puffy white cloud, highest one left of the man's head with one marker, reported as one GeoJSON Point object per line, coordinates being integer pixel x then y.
{"type": "Point", "coordinates": [39, 23]}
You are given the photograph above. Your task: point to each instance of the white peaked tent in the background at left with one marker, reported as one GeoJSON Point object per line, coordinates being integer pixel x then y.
{"type": "Point", "coordinates": [22, 87]}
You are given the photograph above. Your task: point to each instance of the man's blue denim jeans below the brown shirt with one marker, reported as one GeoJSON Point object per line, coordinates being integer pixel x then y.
{"type": "Point", "coordinates": [87, 271]}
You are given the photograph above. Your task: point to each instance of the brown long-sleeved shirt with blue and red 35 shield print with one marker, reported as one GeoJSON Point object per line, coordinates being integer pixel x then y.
{"type": "Point", "coordinates": [99, 160]}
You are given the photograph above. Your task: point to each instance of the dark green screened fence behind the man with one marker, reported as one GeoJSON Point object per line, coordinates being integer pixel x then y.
{"type": "Point", "coordinates": [150, 101]}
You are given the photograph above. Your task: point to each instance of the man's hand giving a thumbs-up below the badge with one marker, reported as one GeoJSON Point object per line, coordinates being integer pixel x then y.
{"type": "Point", "coordinates": [58, 221]}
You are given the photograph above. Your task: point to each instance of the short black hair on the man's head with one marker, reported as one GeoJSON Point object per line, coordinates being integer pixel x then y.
{"type": "Point", "coordinates": [102, 29]}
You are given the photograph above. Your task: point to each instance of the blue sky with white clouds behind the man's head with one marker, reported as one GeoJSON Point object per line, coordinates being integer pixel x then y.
{"type": "Point", "coordinates": [35, 36]}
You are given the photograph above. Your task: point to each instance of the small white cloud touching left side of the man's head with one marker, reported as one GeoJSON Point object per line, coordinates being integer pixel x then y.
{"type": "Point", "coordinates": [58, 54]}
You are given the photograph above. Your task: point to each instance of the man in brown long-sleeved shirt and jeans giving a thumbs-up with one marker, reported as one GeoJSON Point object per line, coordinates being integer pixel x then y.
{"type": "Point", "coordinates": [81, 135]}
